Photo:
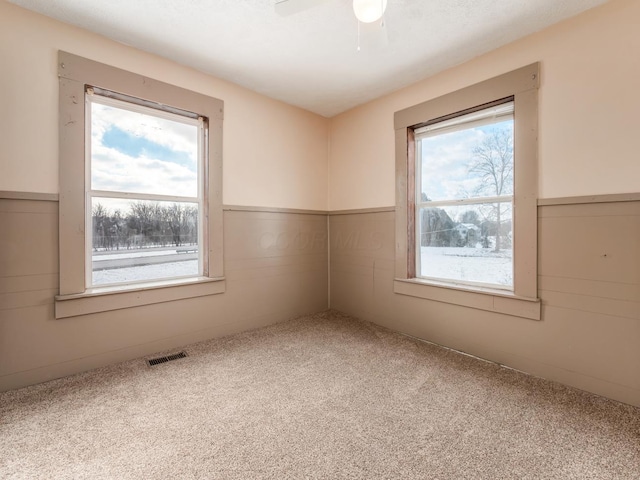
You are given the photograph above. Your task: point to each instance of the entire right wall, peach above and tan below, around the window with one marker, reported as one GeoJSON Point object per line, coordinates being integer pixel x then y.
{"type": "Point", "coordinates": [588, 249]}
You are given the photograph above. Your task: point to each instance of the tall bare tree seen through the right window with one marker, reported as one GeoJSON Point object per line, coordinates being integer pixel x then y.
{"type": "Point", "coordinates": [493, 162]}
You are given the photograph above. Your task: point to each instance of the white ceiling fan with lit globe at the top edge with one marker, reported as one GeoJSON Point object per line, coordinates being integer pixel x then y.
{"type": "Point", "coordinates": [372, 32]}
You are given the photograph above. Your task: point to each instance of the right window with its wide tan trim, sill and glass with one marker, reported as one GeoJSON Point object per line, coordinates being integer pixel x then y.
{"type": "Point", "coordinates": [466, 208]}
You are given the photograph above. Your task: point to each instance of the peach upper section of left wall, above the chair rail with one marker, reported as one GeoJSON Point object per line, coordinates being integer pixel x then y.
{"type": "Point", "coordinates": [274, 155]}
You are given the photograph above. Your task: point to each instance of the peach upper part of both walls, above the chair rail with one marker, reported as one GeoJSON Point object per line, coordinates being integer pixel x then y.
{"type": "Point", "coordinates": [276, 155]}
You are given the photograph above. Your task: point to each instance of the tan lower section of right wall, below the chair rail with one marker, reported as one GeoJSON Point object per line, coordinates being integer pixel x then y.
{"type": "Point", "coordinates": [588, 283]}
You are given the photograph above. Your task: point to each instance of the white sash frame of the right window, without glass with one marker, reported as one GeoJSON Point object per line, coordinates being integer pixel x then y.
{"type": "Point", "coordinates": [449, 125]}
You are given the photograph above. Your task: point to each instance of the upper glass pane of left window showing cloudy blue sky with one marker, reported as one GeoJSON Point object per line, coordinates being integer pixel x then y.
{"type": "Point", "coordinates": [139, 153]}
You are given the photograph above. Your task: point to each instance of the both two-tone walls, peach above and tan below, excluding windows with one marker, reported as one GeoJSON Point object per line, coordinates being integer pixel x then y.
{"type": "Point", "coordinates": [276, 261]}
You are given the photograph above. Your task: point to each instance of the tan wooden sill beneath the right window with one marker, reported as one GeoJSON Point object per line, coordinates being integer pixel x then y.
{"type": "Point", "coordinates": [497, 301]}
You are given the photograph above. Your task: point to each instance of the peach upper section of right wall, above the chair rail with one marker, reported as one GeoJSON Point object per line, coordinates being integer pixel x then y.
{"type": "Point", "coordinates": [588, 119]}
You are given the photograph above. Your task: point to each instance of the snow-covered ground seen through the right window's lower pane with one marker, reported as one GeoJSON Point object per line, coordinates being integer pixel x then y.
{"type": "Point", "coordinates": [467, 264]}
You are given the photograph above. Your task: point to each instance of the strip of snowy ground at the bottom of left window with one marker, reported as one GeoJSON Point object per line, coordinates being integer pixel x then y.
{"type": "Point", "coordinates": [146, 272]}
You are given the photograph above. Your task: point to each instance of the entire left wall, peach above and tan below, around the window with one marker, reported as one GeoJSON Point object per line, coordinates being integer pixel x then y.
{"type": "Point", "coordinates": [275, 261]}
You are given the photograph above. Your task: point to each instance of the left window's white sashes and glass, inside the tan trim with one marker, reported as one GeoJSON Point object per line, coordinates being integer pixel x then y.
{"type": "Point", "coordinates": [145, 192]}
